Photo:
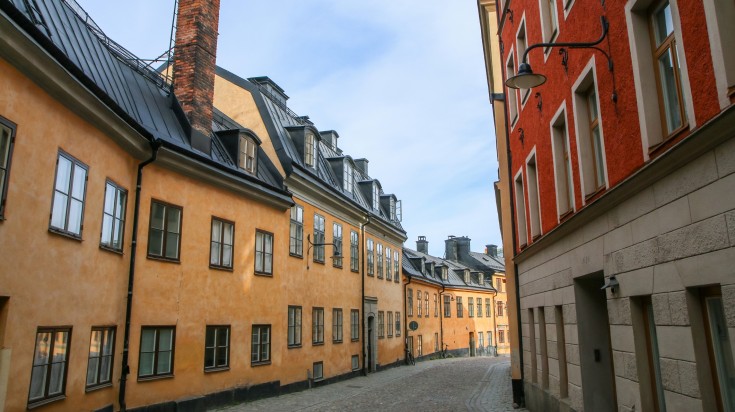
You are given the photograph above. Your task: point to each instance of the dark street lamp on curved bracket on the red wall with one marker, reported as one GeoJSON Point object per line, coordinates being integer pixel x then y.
{"type": "Point", "coordinates": [527, 79]}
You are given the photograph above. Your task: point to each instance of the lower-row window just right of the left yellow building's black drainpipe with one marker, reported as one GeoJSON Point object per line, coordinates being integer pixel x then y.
{"type": "Point", "coordinates": [156, 351]}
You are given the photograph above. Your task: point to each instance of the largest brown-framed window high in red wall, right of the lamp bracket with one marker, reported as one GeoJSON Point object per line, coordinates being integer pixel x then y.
{"type": "Point", "coordinates": [668, 77]}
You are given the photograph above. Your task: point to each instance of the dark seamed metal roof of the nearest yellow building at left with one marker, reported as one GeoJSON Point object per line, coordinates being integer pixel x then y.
{"type": "Point", "coordinates": [128, 85]}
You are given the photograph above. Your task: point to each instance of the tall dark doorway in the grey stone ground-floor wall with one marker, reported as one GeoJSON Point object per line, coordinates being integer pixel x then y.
{"type": "Point", "coordinates": [595, 350]}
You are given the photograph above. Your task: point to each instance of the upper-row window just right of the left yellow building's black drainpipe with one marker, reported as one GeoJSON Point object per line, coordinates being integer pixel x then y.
{"type": "Point", "coordinates": [164, 233]}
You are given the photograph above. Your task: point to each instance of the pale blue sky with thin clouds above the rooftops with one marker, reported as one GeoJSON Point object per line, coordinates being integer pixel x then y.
{"type": "Point", "coordinates": [402, 81]}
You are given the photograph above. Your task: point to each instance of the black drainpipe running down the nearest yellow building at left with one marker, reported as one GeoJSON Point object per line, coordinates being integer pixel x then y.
{"type": "Point", "coordinates": [125, 370]}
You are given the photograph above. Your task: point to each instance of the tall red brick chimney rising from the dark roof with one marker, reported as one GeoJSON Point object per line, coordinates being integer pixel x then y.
{"type": "Point", "coordinates": [194, 64]}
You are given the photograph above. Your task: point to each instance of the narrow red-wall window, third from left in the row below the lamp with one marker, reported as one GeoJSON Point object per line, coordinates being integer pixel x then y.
{"type": "Point", "coordinates": [562, 164]}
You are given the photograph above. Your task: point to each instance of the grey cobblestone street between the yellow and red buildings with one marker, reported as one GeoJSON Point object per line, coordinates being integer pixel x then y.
{"type": "Point", "coordinates": [455, 384]}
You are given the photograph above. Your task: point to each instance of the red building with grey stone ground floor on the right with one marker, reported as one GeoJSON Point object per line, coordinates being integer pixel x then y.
{"type": "Point", "coordinates": [622, 170]}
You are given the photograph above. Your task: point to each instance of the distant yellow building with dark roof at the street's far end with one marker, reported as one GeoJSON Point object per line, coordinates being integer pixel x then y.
{"type": "Point", "coordinates": [451, 306]}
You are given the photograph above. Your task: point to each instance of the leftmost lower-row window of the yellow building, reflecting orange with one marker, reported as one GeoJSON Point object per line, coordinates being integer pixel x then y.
{"type": "Point", "coordinates": [48, 375]}
